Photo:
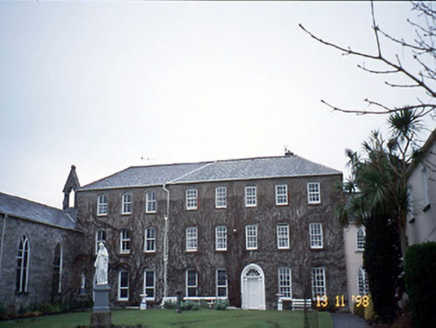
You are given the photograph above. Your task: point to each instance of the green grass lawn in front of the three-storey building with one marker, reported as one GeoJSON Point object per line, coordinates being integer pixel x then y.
{"type": "Point", "coordinates": [169, 318]}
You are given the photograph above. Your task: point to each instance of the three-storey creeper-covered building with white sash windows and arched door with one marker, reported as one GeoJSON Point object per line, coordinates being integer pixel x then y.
{"type": "Point", "coordinates": [243, 230]}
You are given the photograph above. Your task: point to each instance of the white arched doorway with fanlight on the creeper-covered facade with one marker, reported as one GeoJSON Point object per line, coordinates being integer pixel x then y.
{"type": "Point", "coordinates": [253, 288]}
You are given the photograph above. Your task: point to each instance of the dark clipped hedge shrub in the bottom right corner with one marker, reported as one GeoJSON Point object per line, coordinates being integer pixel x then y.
{"type": "Point", "coordinates": [420, 277]}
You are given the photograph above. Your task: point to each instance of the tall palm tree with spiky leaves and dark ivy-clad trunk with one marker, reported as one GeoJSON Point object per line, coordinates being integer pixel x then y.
{"type": "Point", "coordinates": [381, 203]}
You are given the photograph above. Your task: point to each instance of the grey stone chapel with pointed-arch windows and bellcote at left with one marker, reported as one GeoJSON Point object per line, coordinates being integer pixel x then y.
{"type": "Point", "coordinates": [39, 248]}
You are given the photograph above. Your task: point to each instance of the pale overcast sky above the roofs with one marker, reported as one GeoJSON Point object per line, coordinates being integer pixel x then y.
{"type": "Point", "coordinates": [107, 85]}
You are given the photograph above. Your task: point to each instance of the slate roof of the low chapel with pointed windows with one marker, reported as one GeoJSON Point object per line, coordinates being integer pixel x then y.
{"type": "Point", "coordinates": [25, 209]}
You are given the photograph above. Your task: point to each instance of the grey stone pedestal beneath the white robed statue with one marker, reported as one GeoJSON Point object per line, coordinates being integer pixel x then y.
{"type": "Point", "coordinates": [101, 313]}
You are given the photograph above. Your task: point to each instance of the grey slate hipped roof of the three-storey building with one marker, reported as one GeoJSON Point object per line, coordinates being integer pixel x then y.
{"type": "Point", "coordinates": [224, 170]}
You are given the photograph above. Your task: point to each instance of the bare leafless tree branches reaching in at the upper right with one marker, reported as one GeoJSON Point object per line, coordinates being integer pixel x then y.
{"type": "Point", "coordinates": [418, 71]}
